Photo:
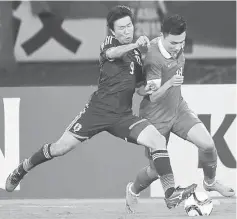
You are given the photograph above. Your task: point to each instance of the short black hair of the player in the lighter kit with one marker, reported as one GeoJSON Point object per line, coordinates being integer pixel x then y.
{"type": "Point", "coordinates": [173, 24]}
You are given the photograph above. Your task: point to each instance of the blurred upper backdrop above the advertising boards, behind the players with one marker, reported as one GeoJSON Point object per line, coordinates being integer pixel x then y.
{"type": "Point", "coordinates": [57, 43]}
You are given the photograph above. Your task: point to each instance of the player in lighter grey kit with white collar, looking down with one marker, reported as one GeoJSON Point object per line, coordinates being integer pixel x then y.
{"type": "Point", "coordinates": [164, 106]}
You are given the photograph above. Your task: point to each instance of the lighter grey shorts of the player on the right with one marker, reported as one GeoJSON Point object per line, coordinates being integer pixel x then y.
{"type": "Point", "coordinates": [179, 125]}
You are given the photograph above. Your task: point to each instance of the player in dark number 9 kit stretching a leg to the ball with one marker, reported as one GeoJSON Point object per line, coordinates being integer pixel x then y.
{"type": "Point", "coordinates": [110, 108]}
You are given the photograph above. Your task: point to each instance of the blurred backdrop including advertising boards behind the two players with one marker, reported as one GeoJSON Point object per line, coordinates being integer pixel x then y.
{"type": "Point", "coordinates": [49, 67]}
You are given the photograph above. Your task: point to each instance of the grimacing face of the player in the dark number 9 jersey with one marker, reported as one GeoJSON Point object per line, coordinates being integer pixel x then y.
{"type": "Point", "coordinates": [123, 30]}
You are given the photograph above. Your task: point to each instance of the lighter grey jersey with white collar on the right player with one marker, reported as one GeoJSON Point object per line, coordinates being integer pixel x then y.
{"type": "Point", "coordinates": [157, 66]}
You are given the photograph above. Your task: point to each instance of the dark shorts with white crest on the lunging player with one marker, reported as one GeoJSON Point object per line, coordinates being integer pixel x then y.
{"type": "Point", "coordinates": [92, 121]}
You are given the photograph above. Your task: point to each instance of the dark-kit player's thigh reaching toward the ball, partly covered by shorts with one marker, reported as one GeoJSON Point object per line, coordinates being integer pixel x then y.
{"type": "Point", "coordinates": [140, 131]}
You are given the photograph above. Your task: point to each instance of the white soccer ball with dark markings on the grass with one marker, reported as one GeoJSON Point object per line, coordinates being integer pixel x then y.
{"type": "Point", "coordinates": [198, 204]}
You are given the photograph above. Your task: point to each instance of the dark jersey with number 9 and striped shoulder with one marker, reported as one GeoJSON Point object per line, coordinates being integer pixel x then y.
{"type": "Point", "coordinates": [118, 78]}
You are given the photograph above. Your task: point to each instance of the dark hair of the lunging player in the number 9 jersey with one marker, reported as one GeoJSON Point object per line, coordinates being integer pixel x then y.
{"type": "Point", "coordinates": [116, 13]}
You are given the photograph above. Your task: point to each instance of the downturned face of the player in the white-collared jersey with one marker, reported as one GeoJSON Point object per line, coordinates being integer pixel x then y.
{"type": "Point", "coordinates": [174, 43]}
